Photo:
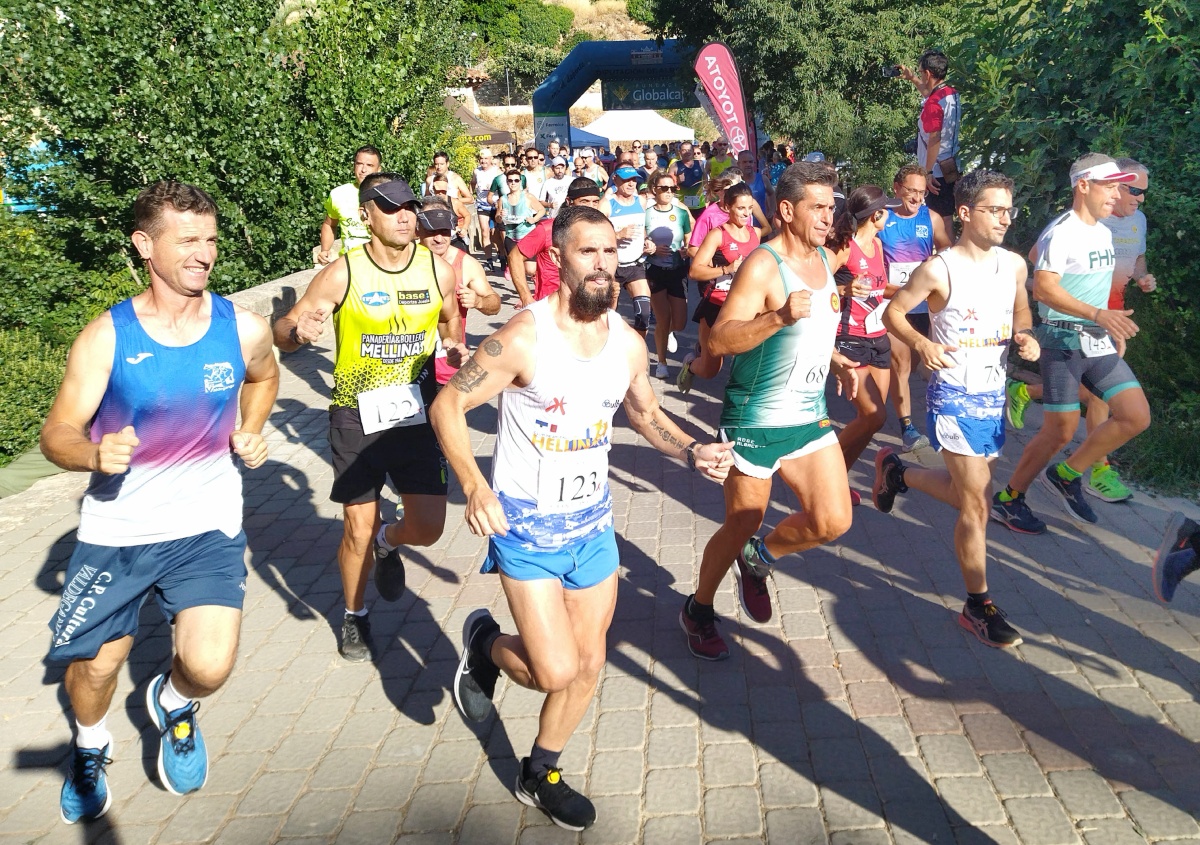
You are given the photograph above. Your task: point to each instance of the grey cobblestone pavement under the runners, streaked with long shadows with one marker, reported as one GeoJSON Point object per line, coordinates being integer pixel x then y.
{"type": "Point", "coordinates": [861, 715]}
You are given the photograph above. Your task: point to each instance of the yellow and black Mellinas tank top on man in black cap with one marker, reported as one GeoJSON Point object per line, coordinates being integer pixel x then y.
{"type": "Point", "coordinates": [386, 327]}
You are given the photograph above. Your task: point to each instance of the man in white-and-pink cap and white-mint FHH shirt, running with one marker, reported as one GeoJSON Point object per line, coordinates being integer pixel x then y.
{"type": "Point", "coordinates": [1083, 343]}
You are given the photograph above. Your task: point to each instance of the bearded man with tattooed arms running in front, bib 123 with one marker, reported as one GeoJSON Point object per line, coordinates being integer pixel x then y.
{"type": "Point", "coordinates": [562, 368]}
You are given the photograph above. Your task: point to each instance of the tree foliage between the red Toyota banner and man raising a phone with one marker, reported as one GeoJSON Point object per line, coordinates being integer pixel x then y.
{"type": "Point", "coordinates": [813, 70]}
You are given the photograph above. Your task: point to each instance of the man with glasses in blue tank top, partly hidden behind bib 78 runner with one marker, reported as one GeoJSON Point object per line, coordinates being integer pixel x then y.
{"type": "Point", "coordinates": [911, 236]}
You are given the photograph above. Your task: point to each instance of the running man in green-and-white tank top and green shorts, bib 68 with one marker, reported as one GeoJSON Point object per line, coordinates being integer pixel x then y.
{"type": "Point", "coordinates": [779, 322]}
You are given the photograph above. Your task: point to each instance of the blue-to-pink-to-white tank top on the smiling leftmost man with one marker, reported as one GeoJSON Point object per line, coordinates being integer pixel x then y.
{"type": "Point", "coordinates": [183, 404]}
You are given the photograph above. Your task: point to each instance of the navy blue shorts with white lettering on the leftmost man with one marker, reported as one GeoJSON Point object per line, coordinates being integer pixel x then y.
{"type": "Point", "coordinates": [106, 586]}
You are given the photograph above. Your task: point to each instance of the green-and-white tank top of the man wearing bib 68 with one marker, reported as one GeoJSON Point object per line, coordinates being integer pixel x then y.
{"type": "Point", "coordinates": [782, 381]}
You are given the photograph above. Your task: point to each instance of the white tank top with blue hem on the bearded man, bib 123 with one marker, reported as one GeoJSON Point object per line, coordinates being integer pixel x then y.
{"type": "Point", "coordinates": [550, 468]}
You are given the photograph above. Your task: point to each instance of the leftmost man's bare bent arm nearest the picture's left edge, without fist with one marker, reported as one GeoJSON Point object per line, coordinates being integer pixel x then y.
{"type": "Point", "coordinates": [65, 440]}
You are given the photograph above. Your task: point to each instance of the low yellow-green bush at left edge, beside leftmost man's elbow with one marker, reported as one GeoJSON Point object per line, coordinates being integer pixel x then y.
{"type": "Point", "coordinates": [29, 380]}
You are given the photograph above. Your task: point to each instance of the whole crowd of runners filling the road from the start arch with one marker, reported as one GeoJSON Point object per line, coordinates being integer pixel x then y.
{"type": "Point", "coordinates": [803, 286]}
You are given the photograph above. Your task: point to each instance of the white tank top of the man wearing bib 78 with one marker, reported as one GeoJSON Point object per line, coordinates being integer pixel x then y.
{"type": "Point", "coordinates": [977, 320]}
